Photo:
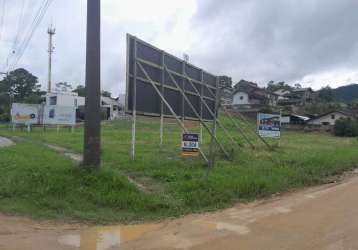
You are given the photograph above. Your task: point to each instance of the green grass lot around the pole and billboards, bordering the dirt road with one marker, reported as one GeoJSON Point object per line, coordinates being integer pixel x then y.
{"type": "Point", "coordinates": [41, 183]}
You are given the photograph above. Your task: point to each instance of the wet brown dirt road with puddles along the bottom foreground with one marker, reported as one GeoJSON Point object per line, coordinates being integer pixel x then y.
{"type": "Point", "coordinates": [319, 218]}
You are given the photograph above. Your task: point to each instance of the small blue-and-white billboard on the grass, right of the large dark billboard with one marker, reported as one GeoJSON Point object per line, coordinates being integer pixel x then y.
{"type": "Point", "coordinates": [269, 126]}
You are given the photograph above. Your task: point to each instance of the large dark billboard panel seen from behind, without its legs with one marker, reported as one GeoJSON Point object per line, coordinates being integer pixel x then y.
{"type": "Point", "coordinates": [166, 71]}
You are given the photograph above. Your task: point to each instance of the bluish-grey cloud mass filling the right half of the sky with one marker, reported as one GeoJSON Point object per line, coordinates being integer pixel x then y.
{"type": "Point", "coordinates": [278, 40]}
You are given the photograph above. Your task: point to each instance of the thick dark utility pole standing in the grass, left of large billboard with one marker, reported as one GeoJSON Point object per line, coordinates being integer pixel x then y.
{"type": "Point", "coordinates": [92, 133]}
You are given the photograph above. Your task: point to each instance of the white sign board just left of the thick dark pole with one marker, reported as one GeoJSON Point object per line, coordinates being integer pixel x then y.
{"type": "Point", "coordinates": [59, 115]}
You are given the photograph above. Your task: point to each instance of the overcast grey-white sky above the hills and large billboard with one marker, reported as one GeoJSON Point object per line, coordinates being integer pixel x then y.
{"type": "Point", "coordinates": [312, 42]}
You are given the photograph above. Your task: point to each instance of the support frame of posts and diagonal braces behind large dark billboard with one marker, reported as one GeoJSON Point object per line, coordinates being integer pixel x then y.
{"type": "Point", "coordinates": [211, 94]}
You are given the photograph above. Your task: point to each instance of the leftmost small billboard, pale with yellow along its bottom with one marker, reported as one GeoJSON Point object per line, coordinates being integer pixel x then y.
{"type": "Point", "coordinates": [26, 114]}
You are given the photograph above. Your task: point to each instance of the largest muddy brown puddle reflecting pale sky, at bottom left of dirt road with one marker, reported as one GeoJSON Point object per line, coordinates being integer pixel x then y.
{"type": "Point", "coordinates": [105, 238]}
